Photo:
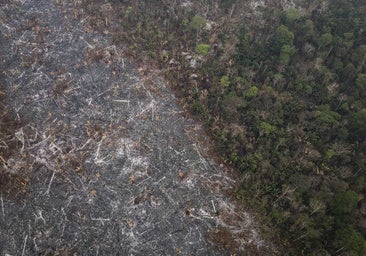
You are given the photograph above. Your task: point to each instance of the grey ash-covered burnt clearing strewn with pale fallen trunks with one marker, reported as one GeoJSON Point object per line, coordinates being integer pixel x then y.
{"type": "Point", "coordinates": [104, 162]}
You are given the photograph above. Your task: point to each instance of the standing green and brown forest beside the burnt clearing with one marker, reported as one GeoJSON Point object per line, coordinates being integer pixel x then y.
{"type": "Point", "coordinates": [282, 91]}
